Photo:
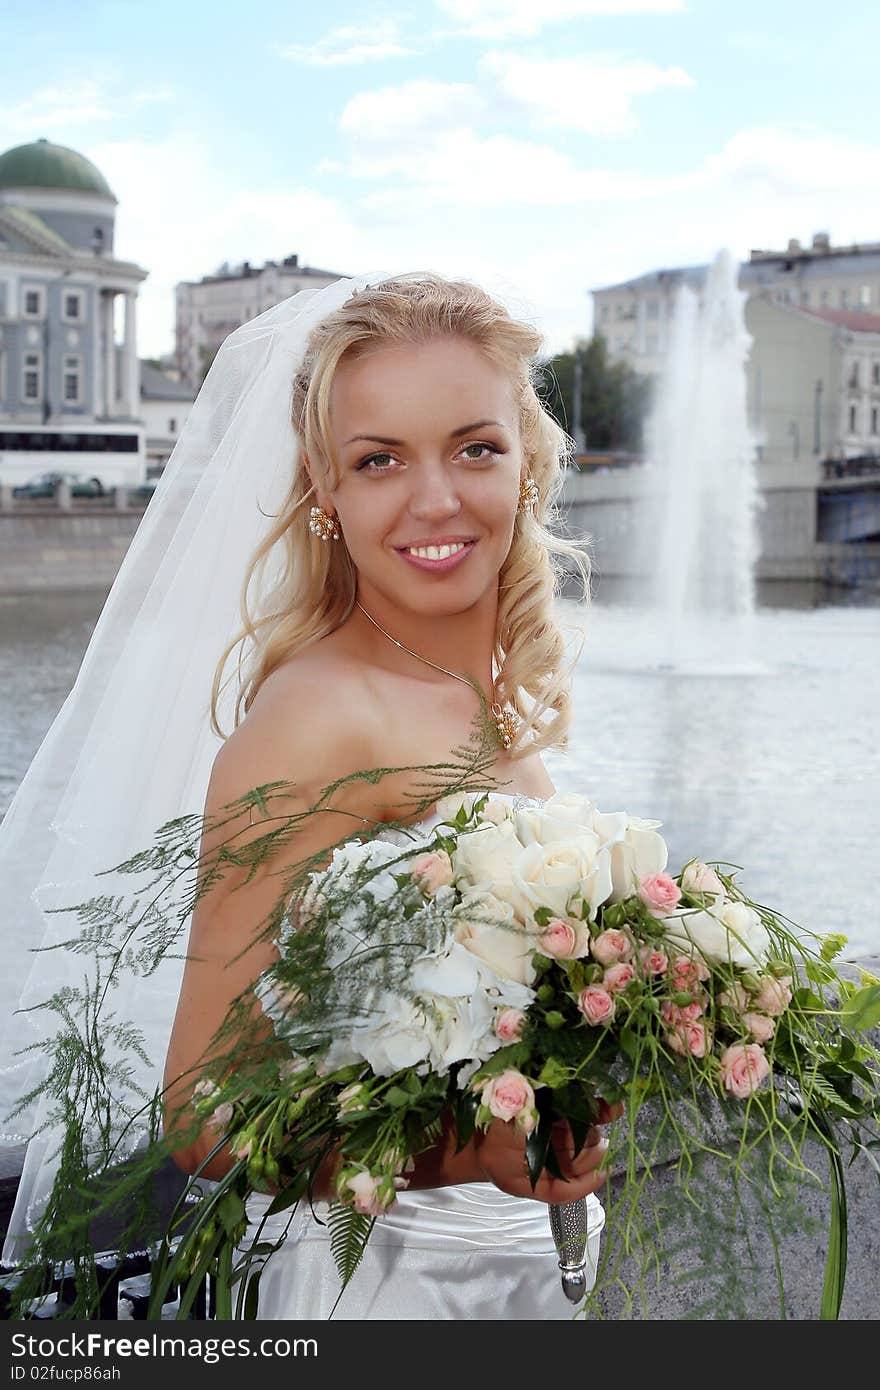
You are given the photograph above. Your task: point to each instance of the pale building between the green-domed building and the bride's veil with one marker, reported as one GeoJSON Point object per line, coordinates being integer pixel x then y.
{"type": "Point", "coordinates": [209, 309]}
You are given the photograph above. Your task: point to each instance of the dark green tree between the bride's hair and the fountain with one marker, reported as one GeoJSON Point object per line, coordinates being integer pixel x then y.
{"type": "Point", "coordinates": [615, 398]}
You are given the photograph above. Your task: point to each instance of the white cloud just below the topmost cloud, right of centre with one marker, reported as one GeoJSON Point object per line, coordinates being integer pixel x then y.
{"type": "Point", "coordinates": [586, 94]}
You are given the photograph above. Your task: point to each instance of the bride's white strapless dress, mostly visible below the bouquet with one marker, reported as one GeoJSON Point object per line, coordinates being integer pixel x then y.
{"type": "Point", "coordinates": [447, 1253]}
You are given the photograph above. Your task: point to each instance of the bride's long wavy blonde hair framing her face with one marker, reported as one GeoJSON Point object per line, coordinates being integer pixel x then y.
{"type": "Point", "coordinates": [315, 586]}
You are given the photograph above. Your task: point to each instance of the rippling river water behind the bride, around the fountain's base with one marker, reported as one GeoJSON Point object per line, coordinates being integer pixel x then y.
{"type": "Point", "coordinates": [775, 768]}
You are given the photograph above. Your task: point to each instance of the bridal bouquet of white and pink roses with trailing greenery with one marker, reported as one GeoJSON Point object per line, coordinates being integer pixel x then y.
{"type": "Point", "coordinates": [528, 965]}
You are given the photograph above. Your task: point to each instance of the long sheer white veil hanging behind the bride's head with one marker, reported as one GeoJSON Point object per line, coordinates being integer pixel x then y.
{"type": "Point", "coordinates": [133, 746]}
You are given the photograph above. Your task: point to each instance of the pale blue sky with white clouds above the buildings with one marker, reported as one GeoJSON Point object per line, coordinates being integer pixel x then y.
{"type": "Point", "coordinates": [543, 148]}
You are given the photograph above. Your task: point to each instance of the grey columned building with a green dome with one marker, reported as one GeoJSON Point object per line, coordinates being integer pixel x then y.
{"type": "Point", "coordinates": [70, 395]}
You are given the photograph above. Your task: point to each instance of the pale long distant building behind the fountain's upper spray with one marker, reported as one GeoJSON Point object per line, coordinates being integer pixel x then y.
{"type": "Point", "coordinates": [635, 318]}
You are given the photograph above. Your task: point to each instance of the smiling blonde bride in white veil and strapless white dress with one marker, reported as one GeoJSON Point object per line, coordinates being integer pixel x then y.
{"type": "Point", "coordinates": [407, 566]}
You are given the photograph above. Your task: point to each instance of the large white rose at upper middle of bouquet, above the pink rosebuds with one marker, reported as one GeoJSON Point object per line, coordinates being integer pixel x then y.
{"type": "Point", "coordinates": [557, 876]}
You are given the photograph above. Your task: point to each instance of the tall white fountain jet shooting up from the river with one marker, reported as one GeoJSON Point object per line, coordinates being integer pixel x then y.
{"type": "Point", "coordinates": [704, 493]}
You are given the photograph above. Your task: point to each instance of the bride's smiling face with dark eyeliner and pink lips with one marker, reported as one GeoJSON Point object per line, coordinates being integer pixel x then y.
{"type": "Point", "coordinates": [429, 447]}
